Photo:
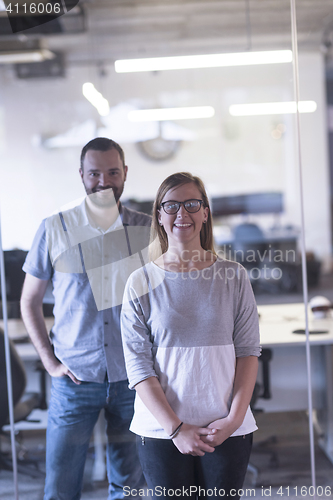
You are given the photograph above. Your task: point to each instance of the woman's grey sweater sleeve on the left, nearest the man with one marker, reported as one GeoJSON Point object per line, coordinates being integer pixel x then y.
{"type": "Point", "coordinates": [136, 335]}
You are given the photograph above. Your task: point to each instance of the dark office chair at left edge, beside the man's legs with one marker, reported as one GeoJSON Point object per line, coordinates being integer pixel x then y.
{"type": "Point", "coordinates": [23, 406]}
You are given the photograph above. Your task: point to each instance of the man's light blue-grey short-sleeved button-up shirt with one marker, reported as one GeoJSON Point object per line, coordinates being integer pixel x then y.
{"type": "Point", "coordinates": [89, 268]}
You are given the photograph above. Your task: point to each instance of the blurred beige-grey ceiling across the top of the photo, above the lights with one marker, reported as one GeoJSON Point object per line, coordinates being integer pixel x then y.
{"type": "Point", "coordinates": [101, 31]}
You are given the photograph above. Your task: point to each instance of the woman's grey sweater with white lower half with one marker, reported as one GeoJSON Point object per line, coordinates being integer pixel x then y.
{"type": "Point", "coordinates": [187, 329]}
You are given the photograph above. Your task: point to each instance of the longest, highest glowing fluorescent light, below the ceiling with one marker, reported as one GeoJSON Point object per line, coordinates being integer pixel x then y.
{"type": "Point", "coordinates": [203, 61]}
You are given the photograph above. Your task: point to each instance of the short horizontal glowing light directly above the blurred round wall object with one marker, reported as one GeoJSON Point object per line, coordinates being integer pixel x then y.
{"type": "Point", "coordinates": [152, 115]}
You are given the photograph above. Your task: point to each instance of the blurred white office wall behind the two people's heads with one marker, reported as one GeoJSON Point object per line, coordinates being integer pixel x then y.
{"type": "Point", "coordinates": [232, 155]}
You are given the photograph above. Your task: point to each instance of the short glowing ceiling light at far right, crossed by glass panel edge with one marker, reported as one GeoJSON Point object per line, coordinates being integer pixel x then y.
{"type": "Point", "coordinates": [272, 108]}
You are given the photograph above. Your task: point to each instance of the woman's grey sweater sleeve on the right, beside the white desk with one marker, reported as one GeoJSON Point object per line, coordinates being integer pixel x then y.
{"type": "Point", "coordinates": [246, 324]}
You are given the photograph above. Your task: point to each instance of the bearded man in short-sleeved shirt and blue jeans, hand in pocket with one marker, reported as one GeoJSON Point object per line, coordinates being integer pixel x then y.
{"type": "Point", "coordinates": [88, 252]}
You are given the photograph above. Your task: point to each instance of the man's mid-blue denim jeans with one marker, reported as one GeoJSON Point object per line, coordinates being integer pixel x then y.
{"type": "Point", "coordinates": [73, 412]}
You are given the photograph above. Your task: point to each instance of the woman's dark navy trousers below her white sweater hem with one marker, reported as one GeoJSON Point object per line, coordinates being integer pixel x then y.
{"type": "Point", "coordinates": [170, 474]}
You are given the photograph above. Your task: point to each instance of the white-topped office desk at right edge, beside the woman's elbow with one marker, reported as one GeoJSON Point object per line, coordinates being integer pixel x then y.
{"type": "Point", "coordinates": [288, 366]}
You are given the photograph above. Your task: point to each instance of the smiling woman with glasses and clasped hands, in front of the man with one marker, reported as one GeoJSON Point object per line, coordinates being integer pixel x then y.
{"type": "Point", "coordinates": [191, 345]}
